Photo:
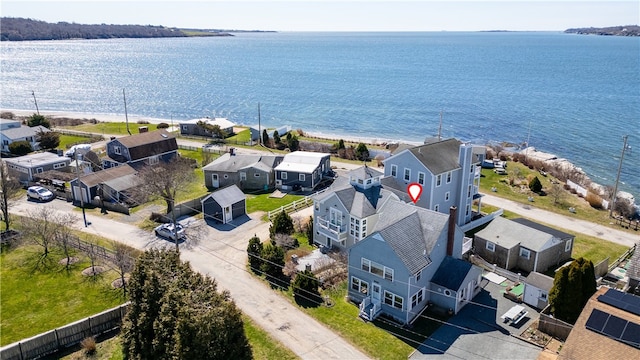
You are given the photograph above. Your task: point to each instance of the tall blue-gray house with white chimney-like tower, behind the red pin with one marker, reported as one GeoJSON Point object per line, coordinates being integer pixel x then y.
{"type": "Point", "coordinates": [448, 170]}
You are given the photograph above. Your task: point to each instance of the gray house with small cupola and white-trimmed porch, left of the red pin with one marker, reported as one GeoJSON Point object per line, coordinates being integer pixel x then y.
{"type": "Point", "coordinates": [349, 209]}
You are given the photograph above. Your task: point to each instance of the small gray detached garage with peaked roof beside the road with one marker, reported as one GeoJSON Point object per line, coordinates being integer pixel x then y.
{"type": "Point", "coordinates": [224, 205]}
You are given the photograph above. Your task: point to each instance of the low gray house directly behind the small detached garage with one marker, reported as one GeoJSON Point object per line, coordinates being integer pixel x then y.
{"type": "Point", "coordinates": [248, 172]}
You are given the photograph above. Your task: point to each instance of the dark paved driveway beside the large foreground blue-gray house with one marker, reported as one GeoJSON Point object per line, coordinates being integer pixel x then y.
{"type": "Point", "coordinates": [477, 332]}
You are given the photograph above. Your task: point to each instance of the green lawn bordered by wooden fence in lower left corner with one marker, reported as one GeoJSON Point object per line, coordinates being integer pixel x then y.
{"type": "Point", "coordinates": [35, 301]}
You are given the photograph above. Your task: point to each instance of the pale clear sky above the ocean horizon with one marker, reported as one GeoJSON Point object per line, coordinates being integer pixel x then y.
{"type": "Point", "coordinates": [336, 15]}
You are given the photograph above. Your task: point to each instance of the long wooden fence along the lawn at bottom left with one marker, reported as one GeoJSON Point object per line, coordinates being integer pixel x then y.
{"type": "Point", "coordinates": [63, 337]}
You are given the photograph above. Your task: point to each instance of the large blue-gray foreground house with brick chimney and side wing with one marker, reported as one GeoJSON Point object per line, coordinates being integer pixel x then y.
{"type": "Point", "coordinates": [410, 258]}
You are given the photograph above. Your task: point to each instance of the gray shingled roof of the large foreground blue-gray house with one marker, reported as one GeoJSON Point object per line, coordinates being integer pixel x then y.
{"type": "Point", "coordinates": [411, 232]}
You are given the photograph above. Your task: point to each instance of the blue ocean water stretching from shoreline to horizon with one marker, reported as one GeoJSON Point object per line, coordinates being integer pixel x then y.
{"type": "Point", "coordinates": [572, 95]}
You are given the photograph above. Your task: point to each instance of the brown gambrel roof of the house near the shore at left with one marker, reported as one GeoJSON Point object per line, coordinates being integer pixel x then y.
{"type": "Point", "coordinates": [149, 143]}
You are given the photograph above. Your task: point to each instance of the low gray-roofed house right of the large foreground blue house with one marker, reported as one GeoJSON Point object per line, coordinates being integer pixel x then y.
{"type": "Point", "coordinates": [522, 244]}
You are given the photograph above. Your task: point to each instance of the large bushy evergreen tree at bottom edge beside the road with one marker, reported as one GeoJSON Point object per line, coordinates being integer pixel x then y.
{"type": "Point", "coordinates": [176, 313]}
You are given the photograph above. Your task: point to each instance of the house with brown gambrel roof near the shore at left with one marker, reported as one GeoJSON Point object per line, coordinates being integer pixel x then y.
{"type": "Point", "coordinates": [137, 150]}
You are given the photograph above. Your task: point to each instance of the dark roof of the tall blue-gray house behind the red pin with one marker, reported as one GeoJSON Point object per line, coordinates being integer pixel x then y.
{"type": "Point", "coordinates": [439, 157]}
